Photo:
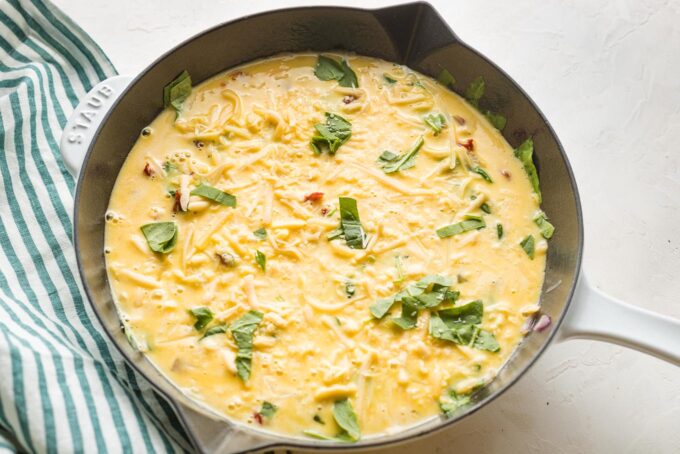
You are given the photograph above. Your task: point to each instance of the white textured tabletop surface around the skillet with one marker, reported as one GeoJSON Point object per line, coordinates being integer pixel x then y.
{"type": "Point", "coordinates": [608, 78]}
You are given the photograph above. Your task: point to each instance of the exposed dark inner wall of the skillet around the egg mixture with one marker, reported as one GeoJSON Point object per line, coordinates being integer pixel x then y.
{"type": "Point", "coordinates": [413, 35]}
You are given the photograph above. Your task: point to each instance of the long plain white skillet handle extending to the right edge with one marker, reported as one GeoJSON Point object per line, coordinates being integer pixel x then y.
{"type": "Point", "coordinates": [596, 315]}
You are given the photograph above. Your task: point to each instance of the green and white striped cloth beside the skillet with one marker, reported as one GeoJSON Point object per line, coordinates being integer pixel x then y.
{"type": "Point", "coordinates": [63, 387]}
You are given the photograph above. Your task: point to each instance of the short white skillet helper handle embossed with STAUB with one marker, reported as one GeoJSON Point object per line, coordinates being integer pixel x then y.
{"type": "Point", "coordinates": [85, 119]}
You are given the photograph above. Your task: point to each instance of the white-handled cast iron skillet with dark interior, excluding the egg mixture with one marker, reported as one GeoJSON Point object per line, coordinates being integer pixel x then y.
{"type": "Point", "coordinates": [107, 123]}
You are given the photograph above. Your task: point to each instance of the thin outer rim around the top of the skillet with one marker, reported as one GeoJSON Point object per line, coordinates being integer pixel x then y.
{"type": "Point", "coordinates": [291, 442]}
